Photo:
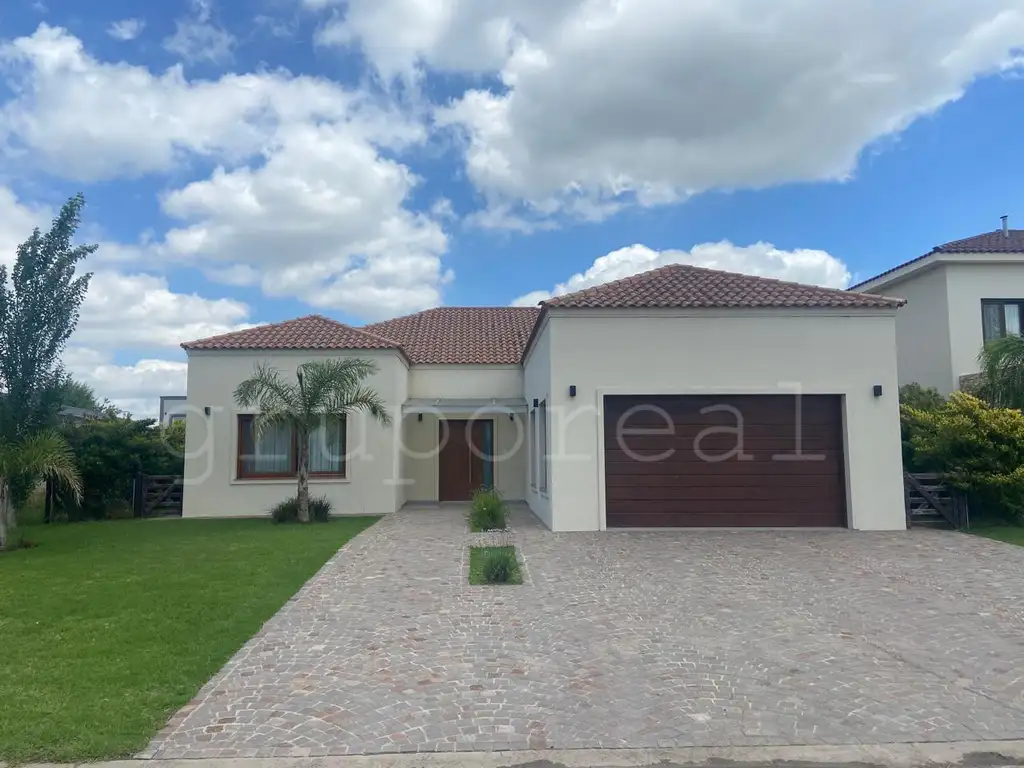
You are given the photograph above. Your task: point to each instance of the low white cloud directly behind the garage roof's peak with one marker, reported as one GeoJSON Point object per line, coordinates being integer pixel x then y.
{"type": "Point", "coordinates": [763, 260]}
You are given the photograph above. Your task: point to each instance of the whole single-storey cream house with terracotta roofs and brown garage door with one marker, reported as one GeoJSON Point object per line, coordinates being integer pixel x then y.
{"type": "Point", "coordinates": [677, 398]}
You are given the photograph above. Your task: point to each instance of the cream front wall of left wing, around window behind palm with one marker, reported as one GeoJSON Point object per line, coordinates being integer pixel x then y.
{"type": "Point", "coordinates": [211, 487]}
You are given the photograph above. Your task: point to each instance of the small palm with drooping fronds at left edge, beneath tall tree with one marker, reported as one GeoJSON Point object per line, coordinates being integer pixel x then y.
{"type": "Point", "coordinates": [45, 455]}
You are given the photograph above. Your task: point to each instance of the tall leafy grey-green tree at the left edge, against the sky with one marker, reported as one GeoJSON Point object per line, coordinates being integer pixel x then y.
{"type": "Point", "coordinates": [40, 301]}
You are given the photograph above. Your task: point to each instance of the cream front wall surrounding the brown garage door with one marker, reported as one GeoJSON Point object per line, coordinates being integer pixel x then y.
{"type": "Point", "coordinates": [753, 353]}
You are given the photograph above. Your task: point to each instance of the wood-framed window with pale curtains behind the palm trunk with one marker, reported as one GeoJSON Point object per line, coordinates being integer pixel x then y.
{"type": "Point", "coordinates": [275, 455]}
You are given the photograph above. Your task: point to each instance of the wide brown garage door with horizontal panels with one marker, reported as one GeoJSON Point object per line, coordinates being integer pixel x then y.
{"type": "Point", "coordinates": [673, 461]}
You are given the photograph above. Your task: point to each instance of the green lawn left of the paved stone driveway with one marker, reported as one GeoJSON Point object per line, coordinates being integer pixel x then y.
{"type": "Point", "coordinates": [109, 628]}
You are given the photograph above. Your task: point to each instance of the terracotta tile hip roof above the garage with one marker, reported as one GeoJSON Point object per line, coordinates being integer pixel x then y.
{"type": "Point", "coordinates": [684, 286]}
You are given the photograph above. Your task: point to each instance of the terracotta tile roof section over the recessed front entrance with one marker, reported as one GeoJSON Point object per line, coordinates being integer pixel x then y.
{"type": "Point", "coordinates": [462, 335]}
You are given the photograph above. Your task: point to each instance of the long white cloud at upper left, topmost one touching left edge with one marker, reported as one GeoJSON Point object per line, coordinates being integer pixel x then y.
{"type": "Point", "coordinates": [90, 121]}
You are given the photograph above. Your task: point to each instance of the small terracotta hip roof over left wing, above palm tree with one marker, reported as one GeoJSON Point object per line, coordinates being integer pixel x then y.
{"type": "Point", "coordinates": [312, 332]}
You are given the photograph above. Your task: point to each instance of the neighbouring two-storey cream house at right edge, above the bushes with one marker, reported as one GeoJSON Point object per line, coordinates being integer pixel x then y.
{"type": "Point", "coordinates": [959, 296]}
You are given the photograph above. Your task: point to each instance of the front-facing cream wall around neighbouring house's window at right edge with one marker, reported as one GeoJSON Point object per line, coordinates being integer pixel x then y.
{"type": "Point", "coordinates": [967, 285]}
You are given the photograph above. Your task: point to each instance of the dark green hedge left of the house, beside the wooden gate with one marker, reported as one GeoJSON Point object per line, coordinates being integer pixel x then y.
{"type": "Point", "coordinates": [110, 453]}
